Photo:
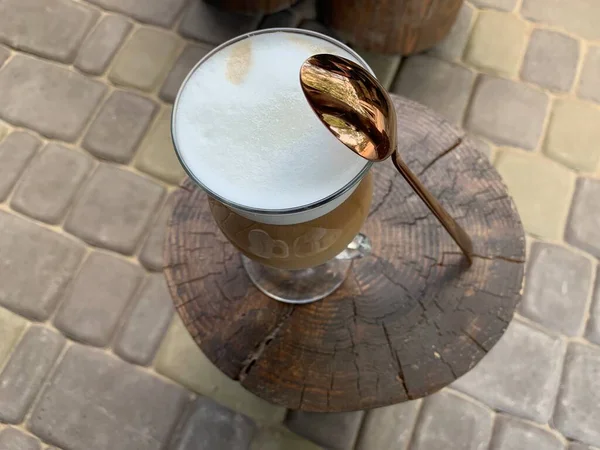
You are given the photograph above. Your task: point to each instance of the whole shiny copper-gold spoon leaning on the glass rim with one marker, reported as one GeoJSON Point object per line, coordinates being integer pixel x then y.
{"type": "Point", "coordinates": [356, 108]}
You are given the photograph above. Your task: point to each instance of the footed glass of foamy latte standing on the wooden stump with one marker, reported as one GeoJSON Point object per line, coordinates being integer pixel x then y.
{"type": "Point", "coordinates": [281, 187]}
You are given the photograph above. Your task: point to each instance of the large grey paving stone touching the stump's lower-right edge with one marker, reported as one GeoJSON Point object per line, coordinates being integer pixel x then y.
{"type": "Point", "coordinates": [520, 375]}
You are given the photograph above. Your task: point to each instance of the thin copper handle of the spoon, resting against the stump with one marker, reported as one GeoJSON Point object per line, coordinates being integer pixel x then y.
{"type": "Point", "coordinates": [453, 228]}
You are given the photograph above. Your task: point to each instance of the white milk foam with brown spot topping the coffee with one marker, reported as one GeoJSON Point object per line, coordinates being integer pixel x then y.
{"type": "Point", "coordinates": [243, 127]}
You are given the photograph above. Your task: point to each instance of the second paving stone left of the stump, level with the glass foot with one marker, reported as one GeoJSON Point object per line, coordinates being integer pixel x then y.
{"type": "Point", "coordinates": [97, 298]}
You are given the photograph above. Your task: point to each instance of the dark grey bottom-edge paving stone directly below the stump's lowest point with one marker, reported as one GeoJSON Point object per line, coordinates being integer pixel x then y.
{"type": "Point", "coordinates": [336, 431]}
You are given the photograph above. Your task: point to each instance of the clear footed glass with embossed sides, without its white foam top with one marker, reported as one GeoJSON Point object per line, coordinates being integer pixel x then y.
{"type": "Point", "coordinates": [303, 254]}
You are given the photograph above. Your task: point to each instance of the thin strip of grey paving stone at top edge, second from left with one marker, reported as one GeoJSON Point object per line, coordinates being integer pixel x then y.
{"type": "Point", "coordinates": [156, 12]}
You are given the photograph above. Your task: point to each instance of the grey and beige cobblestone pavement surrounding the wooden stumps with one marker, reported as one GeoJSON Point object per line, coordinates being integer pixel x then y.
{"type": "Point", "coordinates": [91, 355]}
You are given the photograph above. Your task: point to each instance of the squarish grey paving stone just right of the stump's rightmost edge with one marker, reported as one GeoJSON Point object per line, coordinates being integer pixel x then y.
{"type": "Point", "coordinates": [557, 288]}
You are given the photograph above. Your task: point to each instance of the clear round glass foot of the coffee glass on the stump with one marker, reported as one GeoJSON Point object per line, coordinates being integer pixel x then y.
{"type": "Point", "coordinates": [298, 286]}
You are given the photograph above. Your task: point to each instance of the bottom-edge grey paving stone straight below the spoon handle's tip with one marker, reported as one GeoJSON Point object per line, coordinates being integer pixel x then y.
{"type": "Point", "coordinates": [452, 423]}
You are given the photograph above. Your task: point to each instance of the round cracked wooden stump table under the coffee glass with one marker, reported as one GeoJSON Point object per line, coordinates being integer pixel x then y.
{"type": "Point", "coordinates": [409, 320]}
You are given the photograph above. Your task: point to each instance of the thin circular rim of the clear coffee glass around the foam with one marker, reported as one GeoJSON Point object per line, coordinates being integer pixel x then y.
{"type": "Point", "coordinates": [238, 206]}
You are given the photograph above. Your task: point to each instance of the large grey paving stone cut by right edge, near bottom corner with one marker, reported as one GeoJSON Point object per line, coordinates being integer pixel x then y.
{"type": "Point", "coordinates": [578, 406]}
